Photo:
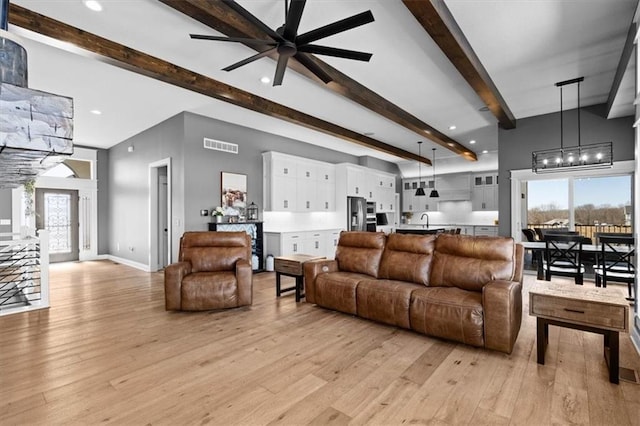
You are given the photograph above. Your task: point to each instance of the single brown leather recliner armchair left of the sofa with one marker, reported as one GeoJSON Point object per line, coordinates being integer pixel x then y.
{"type": "Point", "coordinates": [213, 272]}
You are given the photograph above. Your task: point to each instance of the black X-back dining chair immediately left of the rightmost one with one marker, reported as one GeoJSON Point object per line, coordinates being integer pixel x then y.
{"type": "Point", "coordinates": [563, 257]}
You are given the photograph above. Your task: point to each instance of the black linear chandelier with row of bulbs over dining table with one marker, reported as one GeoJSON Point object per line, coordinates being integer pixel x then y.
{"type": "Point", "coordinates": [563, 159]}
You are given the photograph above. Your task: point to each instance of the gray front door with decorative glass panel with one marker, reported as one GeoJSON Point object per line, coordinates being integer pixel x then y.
{"type": "Point", "coordinates": [57, 212]}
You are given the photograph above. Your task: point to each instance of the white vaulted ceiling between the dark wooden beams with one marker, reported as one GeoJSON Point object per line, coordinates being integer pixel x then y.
{"type": "Point", "coordinates": [525, 45]}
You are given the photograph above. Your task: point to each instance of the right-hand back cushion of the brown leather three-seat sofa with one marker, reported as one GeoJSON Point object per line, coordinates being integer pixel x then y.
{"type": "Point", "coordinates": [470, 262]}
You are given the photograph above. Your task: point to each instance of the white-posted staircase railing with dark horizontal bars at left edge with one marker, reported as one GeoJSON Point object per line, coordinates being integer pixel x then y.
{"type": "Point", "coordinates": [24, 272]}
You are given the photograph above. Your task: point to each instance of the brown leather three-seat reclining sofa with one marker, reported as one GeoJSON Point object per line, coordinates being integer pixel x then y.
{"type": "Point", "coordinates": [456, 287]}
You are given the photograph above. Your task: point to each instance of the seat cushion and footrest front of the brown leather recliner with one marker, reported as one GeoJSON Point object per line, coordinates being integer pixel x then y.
{"type": "Point", "coordinates": [209, 290]}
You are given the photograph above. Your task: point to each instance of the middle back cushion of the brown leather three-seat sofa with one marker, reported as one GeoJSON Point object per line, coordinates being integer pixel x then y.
{"type": "Point", "coordinates": [407, 257]}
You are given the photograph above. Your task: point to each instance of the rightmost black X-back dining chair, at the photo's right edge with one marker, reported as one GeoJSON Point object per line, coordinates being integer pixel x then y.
{"type": "Point", "coordinates": [615, 261]}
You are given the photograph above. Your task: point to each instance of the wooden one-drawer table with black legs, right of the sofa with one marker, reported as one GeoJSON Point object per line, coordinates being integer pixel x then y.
{"type": "Point", "coordinates": [597, 310]}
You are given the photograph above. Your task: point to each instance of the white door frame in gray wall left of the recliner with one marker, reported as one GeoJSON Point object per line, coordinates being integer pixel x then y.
{"type": "Point", "coordinates": [154, 261]}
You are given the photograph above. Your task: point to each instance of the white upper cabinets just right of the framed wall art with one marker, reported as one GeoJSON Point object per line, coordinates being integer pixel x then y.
{"type": "Point", "coordinates": [297, 184]}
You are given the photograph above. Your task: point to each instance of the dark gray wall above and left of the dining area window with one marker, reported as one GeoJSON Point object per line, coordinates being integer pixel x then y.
{"type": "Point", "coordinates": [543, 132]}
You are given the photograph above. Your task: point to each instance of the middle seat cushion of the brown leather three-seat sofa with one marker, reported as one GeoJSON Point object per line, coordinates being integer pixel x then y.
{"type": "Point", "coordinates": [385, 301]}
